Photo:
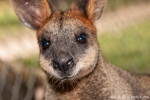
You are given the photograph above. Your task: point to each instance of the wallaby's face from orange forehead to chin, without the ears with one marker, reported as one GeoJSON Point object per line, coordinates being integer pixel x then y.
{"type": "Point", "coordinates": [71, 48]}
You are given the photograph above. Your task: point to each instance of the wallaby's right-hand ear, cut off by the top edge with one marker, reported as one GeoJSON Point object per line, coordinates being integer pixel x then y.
{"type": "Point", "coordinates": [91, 8]}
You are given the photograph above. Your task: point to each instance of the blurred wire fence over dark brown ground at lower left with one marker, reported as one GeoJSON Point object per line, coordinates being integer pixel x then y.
{"type": "Point", "coordinates": [18, 82]}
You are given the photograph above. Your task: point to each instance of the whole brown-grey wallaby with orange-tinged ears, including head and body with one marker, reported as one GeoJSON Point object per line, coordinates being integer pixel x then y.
{"type": "Point", "coordinates": [70, 55]}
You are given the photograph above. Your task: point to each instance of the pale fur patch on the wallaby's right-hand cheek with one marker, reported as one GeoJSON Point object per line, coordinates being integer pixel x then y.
{"type": "Point", "coordinates": [87, 63]}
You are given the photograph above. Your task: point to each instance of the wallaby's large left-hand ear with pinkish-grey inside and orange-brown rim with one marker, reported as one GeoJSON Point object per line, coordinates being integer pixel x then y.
{"type": "Point", "coordinates": [32, 13]}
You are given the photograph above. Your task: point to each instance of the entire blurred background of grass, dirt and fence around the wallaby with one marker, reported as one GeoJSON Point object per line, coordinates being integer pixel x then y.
{"type": "Point", "coordinates": [123, 34]}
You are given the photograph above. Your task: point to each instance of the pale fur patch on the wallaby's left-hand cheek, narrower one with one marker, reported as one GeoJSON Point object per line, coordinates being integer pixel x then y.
{"type": "Point", "coordinates": [45, 65]}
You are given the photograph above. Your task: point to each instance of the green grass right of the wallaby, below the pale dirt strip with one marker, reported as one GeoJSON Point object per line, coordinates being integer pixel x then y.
{"type": "Point", "coordinates": [129, 48]}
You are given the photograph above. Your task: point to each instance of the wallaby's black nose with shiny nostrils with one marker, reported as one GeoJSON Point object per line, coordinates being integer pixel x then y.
{"type": "Point", "coordinates": [63, 62]}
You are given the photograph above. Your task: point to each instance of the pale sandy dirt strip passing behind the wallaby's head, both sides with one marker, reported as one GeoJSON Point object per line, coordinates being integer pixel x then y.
{"type": "Point", "coordinates": [26, 45]}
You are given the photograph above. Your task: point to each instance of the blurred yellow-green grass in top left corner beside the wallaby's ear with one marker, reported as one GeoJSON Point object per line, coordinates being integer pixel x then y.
{"type": "Point", "coordinates": [9, 23]}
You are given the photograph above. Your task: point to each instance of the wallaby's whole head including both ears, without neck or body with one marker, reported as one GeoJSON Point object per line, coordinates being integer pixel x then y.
{"type": "Point", "coordinates": [67, 40]}
